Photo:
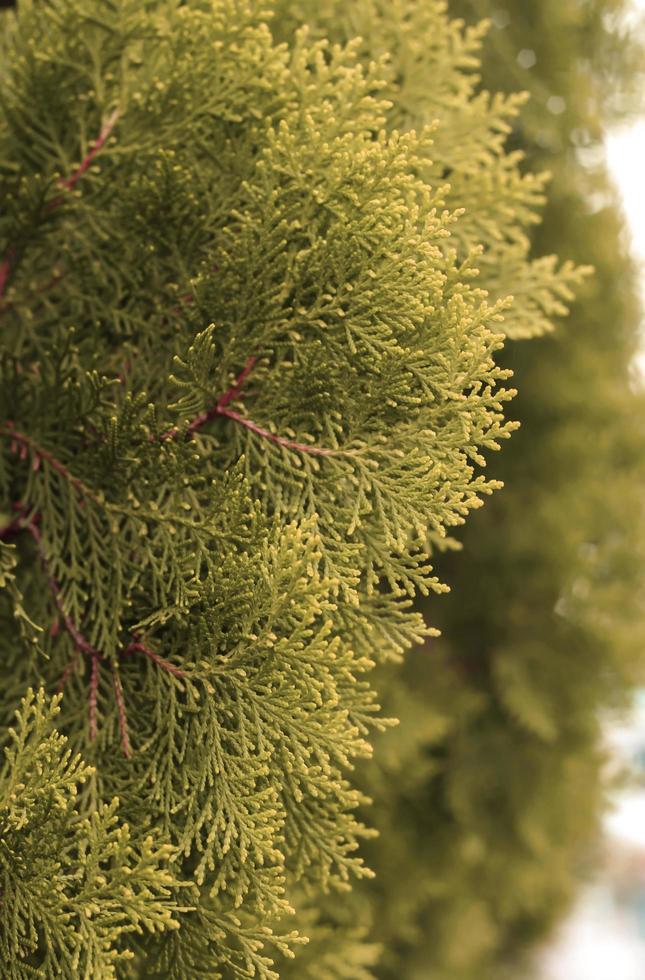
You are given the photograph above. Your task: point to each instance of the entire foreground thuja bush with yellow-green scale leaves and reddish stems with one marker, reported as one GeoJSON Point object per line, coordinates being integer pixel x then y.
{"type": "Point", "coordinates": [250, 308]}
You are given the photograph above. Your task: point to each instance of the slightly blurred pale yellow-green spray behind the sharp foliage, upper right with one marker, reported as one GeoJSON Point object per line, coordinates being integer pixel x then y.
{"type": "Point", "coordinates": [431, 64]}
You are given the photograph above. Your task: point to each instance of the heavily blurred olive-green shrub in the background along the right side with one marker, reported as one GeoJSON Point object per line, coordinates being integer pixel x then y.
{"type": "Point", "coordinates": [489, 794]}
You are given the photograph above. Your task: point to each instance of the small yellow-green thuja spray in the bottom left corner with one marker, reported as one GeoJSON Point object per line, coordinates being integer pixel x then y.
{"type": "Point", "coordinates": [72, 888]}
